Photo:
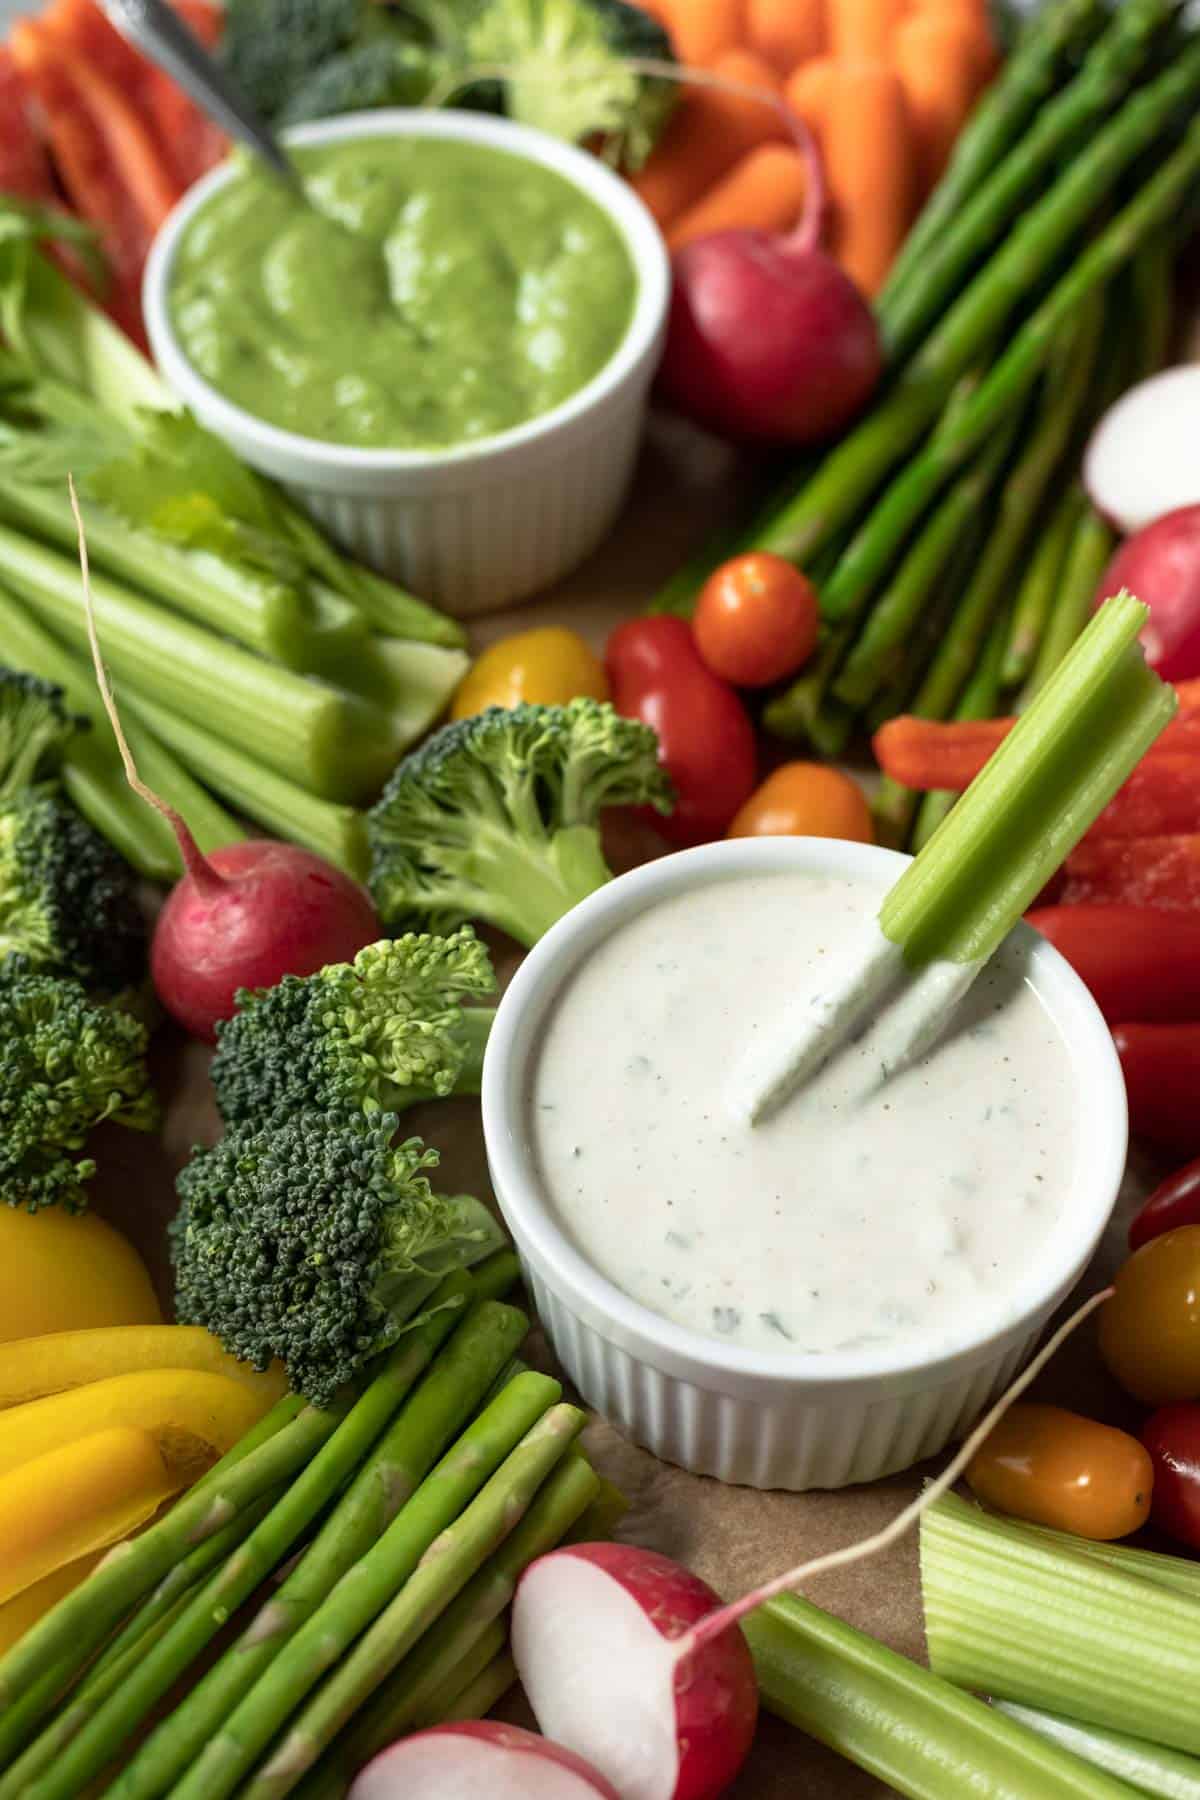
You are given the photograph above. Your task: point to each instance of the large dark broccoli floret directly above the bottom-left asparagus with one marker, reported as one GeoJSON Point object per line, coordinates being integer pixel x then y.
{"type": "Point", "coordinates": [316, 1241]}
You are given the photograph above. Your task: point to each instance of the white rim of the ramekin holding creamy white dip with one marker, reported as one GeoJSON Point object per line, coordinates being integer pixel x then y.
{"type": "Point", "coordinates": [686, 1354]}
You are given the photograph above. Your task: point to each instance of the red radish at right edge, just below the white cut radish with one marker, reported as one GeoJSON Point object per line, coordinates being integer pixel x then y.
{"type": "Point", "coordinates": [1161, 564]}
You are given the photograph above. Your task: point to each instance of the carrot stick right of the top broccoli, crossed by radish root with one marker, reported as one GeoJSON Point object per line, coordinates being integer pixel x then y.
{"type": "Point", "coordinates": [708, 134]}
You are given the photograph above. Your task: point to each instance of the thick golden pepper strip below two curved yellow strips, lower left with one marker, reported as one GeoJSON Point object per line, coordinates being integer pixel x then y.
{"type": "Point", "coordinates": [80, 1498]}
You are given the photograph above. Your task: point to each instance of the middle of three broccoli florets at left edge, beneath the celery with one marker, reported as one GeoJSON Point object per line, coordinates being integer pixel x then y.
{"type": "Point", "coordinates": [67, 899]}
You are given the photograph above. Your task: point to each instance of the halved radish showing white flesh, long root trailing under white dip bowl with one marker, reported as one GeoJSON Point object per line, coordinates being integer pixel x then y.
{"type": "Point", "coordinates": [631, 1660]}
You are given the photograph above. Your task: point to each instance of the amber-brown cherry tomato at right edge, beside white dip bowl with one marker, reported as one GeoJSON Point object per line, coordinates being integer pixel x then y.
{"type": "Point", "coordinates": [1151, 1329]}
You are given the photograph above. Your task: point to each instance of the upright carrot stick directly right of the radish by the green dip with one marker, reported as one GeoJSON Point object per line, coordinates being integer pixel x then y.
{"type": "Point", "coordinates": [870, 165]}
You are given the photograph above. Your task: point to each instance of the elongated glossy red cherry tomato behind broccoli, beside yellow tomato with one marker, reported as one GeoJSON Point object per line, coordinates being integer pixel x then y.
{"type": "Point", "coordinates": [704, 730]}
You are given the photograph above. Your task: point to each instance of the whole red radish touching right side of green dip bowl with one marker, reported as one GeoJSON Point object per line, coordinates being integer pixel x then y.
{"type": "Point", "coordinates": [769, 341]}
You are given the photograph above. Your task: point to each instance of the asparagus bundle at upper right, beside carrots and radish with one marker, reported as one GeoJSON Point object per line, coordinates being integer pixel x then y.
{"type": "Point", "coordinates": [954, 552]}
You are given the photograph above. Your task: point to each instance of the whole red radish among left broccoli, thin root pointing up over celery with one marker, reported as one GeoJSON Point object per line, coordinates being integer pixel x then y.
{"type": "Point", "coordinates": [244, 917]}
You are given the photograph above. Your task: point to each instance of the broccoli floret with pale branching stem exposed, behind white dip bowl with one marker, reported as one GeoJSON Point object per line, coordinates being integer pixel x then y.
{"type": "Point", "coordinates": [496, 816]}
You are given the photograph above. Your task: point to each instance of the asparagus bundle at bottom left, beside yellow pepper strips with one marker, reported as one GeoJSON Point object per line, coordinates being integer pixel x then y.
{"type": "Point", "coordinates": [368, 1554]}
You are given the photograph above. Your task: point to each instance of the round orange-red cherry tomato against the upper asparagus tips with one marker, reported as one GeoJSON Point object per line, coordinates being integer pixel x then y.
{"type": "Point", "coordinates": [757, 620]}
